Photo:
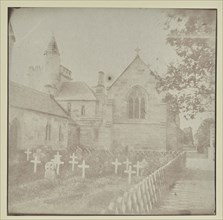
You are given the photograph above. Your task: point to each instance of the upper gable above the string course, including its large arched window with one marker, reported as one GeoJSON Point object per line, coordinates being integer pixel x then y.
{"type": "Point", "coordinates": [134, 95]}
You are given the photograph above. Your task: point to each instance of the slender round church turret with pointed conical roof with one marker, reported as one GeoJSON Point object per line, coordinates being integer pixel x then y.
{"type": "Point", "coordinates": [52, 67]}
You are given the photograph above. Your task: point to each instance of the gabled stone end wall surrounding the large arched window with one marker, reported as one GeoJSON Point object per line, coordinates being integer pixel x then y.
{"type": "Point", "coordinates": [148, 132]}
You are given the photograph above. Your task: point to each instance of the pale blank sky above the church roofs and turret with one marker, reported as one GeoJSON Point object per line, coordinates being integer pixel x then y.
{"type": "Point", "coordinates": [91, 40]}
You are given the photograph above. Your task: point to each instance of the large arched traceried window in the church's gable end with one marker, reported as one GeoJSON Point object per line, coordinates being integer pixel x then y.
{"type": "Point", "coordinates": [137, 103]}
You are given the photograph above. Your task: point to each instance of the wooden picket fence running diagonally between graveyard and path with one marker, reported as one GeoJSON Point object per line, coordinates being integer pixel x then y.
{"type": "Point", "coordinates": [144, 196]}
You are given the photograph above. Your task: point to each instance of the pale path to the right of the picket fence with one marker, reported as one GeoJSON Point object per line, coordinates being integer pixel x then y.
{"type": "Point", "coordinates": [194, 192]}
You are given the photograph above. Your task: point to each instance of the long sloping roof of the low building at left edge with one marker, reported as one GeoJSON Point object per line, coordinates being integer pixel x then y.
{"type": "Point", "coordinates": [27, 98]}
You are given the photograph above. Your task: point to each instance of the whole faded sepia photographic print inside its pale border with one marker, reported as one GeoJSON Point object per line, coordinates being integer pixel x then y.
{"type": "Point", "coordinates": [111, 111]}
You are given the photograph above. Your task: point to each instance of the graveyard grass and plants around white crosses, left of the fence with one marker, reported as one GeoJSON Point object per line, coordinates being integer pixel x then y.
{"type": "Point", "coordinates": [69, 193]}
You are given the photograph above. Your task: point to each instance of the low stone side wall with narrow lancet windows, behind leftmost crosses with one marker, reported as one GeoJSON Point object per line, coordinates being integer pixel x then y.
{"type": "Point", "coordinates": [32, 129]}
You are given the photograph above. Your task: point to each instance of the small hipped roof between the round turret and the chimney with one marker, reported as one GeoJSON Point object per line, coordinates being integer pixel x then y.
{"type": "Point", "coordinates": [75, 91]}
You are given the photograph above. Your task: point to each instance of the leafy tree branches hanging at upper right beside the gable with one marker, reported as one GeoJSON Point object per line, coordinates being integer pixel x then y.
{"type": "Point", "coordinates": [189, 83]}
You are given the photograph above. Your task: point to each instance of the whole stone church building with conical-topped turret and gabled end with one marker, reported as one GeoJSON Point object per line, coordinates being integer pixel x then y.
{"type": "Point", "coordinates": [127, 113]}
